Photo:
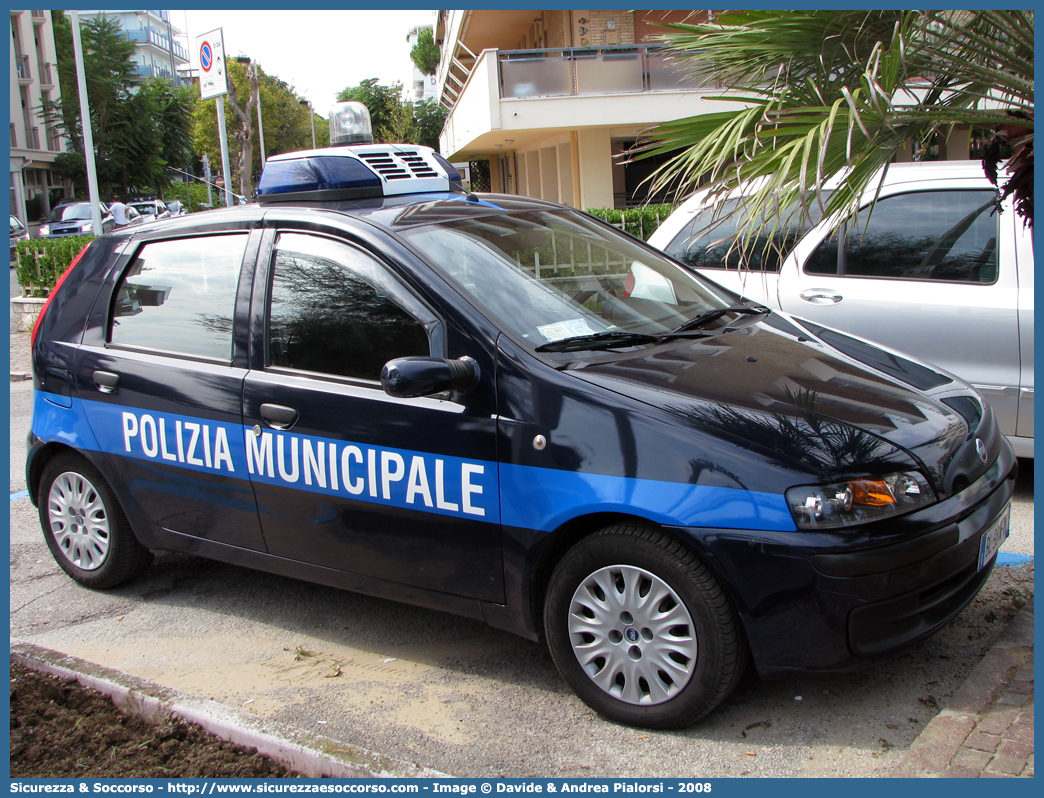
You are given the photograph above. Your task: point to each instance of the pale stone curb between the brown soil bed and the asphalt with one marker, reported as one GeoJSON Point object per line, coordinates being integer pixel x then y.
{"type": "Point", "coordinates": [311, 755]}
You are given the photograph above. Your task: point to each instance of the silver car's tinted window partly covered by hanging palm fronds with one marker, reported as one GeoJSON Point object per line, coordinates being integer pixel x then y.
{"type": "Point", "coordinates": [706, 241]}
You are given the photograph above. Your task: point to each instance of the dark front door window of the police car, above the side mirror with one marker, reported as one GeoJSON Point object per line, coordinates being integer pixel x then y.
{"type": "Point", "coordinates": [335, 310]}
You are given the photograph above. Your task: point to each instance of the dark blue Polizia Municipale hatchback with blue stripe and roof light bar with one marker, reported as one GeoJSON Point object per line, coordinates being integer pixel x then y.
{"type": "Point", "coordinates": [505, 409]}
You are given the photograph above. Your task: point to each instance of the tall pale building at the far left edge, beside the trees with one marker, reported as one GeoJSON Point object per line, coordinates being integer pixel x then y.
{"type": "Point", "coordinates": [35, 187]}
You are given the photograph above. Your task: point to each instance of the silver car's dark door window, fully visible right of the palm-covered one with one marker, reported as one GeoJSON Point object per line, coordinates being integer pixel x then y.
{"type": "Point", "coordinates": [950, 237]}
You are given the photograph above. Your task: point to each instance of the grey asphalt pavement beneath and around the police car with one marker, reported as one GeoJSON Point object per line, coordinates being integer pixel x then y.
{"type": "Point", "coordinates": [457, 696]}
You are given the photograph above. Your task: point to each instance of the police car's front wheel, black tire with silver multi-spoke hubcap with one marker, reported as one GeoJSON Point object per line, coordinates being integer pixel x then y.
{"type": "Point", "coordinates": [649, 599]}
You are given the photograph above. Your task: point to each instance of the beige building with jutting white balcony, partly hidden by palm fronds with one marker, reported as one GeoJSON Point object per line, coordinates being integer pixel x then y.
{"type": "Point", "coordinates": [549, 99]}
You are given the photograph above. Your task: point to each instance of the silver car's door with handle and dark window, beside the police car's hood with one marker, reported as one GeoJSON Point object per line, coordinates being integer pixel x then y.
{"type": "Point", "coordinates": [930, 272]}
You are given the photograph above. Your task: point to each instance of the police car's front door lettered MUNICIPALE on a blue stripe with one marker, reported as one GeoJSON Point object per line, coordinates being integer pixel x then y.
{"type": "Point", "coordinates": [399, 490]}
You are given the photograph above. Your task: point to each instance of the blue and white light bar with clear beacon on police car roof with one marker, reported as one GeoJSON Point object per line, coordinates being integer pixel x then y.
{"type": "Point", "coordinates": [353, 168]}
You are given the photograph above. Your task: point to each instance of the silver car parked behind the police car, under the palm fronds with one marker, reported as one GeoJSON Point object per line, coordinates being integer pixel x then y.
{"type": "Point", "coordinates": [936, 272]}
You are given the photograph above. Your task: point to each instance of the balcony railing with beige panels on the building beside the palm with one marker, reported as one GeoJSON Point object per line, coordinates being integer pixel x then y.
{"type": "Point", "coordinates": [586, 72]}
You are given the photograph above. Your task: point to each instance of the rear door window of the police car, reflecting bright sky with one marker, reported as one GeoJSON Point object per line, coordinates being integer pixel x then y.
{"type": "Point", "coordinates": [180, 297]}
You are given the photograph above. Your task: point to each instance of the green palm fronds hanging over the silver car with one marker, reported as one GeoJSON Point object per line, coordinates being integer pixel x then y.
{"type": "Point", "coordinates": [838, 93]}
